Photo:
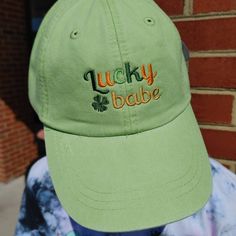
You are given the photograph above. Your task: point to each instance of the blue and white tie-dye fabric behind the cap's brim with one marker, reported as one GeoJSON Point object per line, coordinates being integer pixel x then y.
{"type": "Point", "coordinates": [41, 212]}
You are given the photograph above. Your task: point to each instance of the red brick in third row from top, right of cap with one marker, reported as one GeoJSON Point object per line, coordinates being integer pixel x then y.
{"type": "Point", "coordinates": [216, 72]}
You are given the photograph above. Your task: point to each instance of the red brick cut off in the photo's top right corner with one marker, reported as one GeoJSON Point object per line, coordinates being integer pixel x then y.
{"type": "Point", "coordinates": [202, 6]}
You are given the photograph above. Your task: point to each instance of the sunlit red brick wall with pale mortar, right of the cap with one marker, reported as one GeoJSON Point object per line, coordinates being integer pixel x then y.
{"type": "Point", "coordinates": [209, 30]}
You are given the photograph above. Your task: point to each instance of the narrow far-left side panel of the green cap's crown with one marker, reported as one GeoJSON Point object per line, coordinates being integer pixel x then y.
{"type": "Point", "coordinates": [38, 91]}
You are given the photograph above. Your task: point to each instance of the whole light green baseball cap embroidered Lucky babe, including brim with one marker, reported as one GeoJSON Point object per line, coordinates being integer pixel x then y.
{"type": "Point", "coordinates": [109, 81]}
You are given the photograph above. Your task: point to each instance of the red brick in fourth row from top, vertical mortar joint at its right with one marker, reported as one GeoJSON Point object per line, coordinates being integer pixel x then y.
{"type": "Point", "coordinates": [211, 109]}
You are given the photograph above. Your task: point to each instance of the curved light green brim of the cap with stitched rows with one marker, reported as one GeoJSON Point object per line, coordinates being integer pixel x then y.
{"type": "Point", "coordinates": [127, 183]}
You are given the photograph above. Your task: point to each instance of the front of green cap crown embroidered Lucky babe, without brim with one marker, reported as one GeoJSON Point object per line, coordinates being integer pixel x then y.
{"type": "Point", "coordinates": [106, 77]}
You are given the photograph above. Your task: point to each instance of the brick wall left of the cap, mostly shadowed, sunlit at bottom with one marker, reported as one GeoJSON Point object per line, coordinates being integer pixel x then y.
{"type": "Point", "coordinates": [17, 147]}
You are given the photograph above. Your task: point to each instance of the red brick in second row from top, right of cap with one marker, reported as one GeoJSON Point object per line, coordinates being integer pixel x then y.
{"type": "Point", "coordinates": [209, 34]}
